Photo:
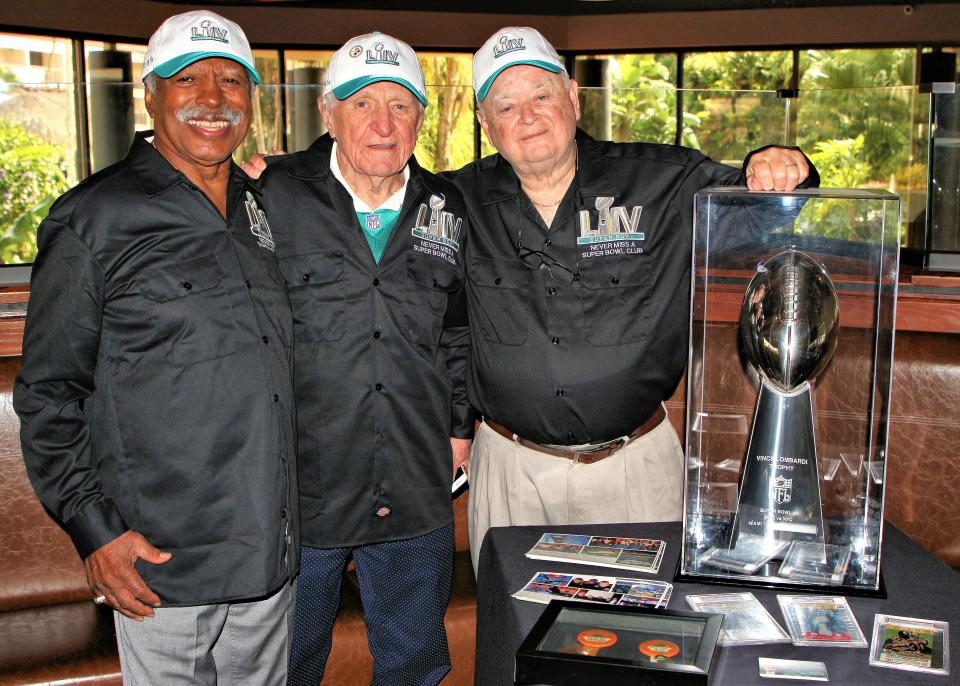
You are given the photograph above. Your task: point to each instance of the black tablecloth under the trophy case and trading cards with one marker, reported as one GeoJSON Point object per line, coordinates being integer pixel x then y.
{"type": "Point", "coordinates": [917, 584]}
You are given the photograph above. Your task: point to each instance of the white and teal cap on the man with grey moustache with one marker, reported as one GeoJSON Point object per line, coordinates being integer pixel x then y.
{"type": "Point", "coordinates": [187, 38]}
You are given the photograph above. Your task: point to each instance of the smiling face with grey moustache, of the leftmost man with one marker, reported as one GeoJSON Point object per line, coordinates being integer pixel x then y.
{"type": "Point", "coordinates": [201, 114]}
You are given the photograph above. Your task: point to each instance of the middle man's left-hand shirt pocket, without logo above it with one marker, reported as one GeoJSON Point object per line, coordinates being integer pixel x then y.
{"type": "Point", "coordinates": [317, 297]}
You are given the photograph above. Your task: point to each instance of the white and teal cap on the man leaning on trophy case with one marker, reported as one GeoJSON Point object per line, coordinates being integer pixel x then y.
{"type": "Point", "coordinates": [508, 47]}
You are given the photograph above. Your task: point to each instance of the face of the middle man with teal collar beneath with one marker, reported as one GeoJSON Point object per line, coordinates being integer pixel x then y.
{"type": "Point", "coordinates": [375, 129]}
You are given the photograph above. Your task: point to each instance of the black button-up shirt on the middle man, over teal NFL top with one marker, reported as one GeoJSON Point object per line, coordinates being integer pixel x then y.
{"type": "Point", "coordinates": [380, 351]}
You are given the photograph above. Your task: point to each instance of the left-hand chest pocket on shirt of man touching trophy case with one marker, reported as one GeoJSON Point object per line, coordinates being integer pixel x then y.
{"type": "Point", "coordinates": [501, 309]}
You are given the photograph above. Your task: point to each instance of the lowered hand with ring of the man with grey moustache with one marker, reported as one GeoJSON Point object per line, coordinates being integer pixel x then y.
{"type": "Point", "coordinates": [110, 573]}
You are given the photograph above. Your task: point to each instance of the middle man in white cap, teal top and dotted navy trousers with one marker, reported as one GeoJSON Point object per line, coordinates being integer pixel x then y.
{"type": "Point", "coordinates": [370, 246]}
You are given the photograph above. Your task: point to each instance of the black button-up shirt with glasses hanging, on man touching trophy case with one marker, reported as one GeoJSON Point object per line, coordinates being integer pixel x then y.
{"type": "Point", "coordinates": [587, 362]}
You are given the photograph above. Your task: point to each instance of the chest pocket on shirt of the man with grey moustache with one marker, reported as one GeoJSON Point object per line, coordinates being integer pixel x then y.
{"type": "Point", "coordinates": [191, 312]}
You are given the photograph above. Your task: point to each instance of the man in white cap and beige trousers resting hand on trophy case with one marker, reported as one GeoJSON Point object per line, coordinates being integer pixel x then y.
{"type": "Point", "coordinates": [578, 286]}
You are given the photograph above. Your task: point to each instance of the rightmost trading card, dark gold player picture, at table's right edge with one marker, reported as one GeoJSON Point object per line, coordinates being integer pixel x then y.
{"type": "Point", "coordinates": [920, 645]}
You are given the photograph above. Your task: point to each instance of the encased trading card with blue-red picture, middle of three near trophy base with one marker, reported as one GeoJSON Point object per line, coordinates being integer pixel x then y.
{"type": "Point", "coordinates": [821, 620]}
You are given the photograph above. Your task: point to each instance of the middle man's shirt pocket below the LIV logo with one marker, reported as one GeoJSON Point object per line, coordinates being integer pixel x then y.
{"type": "Point", "coordinates": [430, 281]}
